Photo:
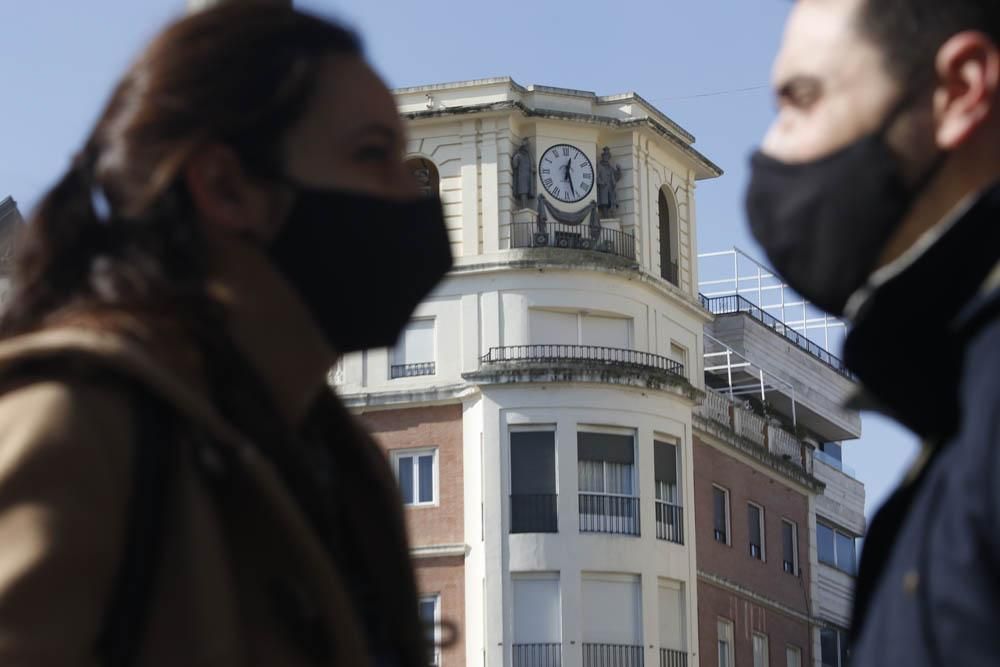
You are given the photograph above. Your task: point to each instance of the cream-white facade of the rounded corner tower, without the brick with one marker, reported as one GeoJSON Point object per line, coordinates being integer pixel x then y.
{"type": "Point", "coordinates": [583, 590]}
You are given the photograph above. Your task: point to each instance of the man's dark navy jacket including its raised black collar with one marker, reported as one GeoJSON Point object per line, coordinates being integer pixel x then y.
{"type": "Point", "coordinates": [926, 347]}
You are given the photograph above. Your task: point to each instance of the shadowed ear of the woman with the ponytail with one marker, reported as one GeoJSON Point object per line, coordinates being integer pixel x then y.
{"type": "Point", "coordinates": [225, 197]}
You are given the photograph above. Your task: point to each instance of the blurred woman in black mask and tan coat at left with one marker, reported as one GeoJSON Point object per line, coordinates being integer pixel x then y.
{"type": "Point", "coordinates": [178, 484]}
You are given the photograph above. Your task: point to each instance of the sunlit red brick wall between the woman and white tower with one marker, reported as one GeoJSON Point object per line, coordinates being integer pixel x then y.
{"type": "Point", "coordinates": [442, 523]}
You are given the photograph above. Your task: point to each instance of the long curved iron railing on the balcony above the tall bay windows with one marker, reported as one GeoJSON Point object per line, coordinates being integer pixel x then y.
{"type": "Point", "coordinates": [611, 356]}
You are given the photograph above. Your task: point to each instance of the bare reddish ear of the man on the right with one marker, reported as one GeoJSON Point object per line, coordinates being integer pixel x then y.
{"type": "Point", "coordinates": [968, 69]}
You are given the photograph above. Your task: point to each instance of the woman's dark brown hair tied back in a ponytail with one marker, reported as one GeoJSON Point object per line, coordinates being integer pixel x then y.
{"type": "Point", "coordinates": [118, 228]}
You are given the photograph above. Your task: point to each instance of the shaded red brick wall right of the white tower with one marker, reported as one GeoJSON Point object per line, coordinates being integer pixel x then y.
{"type": "Point", "coordinates": [767, 579]}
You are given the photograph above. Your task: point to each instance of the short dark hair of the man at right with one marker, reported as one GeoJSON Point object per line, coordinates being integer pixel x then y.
{"type": "Point", "coordinates": [910, 32]}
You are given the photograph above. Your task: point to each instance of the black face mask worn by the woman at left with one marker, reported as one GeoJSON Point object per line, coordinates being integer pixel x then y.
{"type": "Point", "coordinates": [361, 263]}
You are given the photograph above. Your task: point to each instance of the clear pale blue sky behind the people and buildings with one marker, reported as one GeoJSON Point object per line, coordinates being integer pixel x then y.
{"type": "Point", "coordinates": [59, 59]}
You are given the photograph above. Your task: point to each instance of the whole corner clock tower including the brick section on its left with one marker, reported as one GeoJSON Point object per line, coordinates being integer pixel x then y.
{"type": "Point", "coordinates": [538, 410]}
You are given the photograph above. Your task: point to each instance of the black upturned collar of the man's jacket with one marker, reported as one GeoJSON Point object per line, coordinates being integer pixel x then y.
{"type": "Point", "coordinates": [908, 340]}
